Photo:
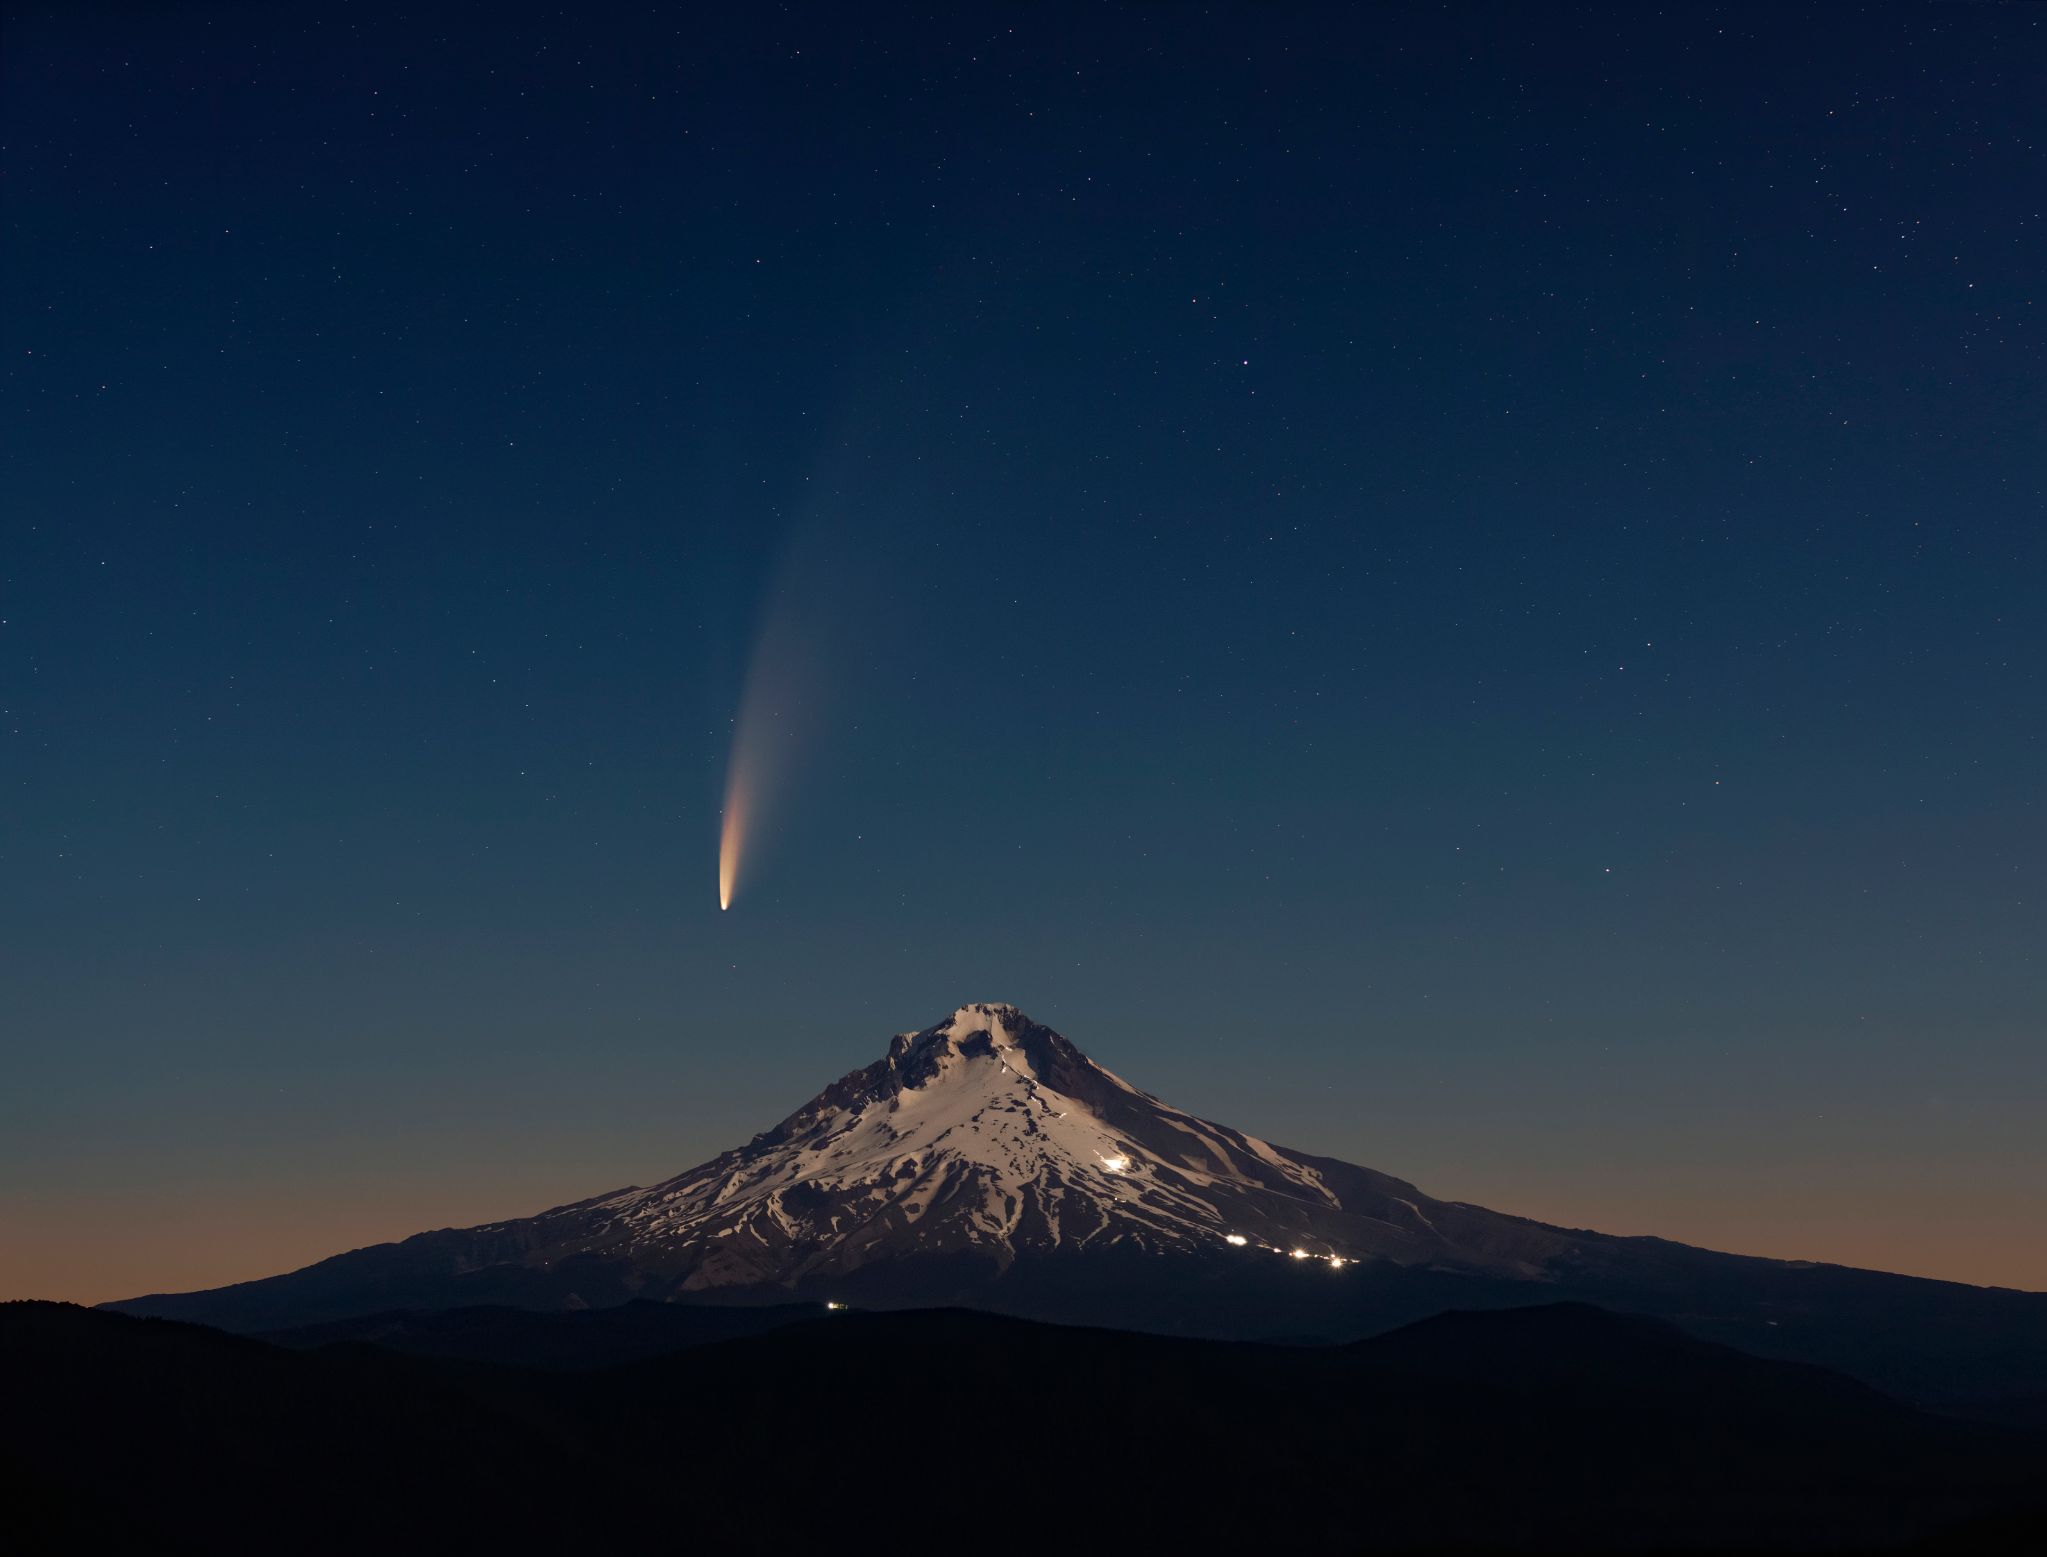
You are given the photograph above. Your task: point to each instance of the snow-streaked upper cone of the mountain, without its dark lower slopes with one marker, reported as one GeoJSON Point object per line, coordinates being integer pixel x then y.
{"type": "Point", "coordinates": [990, 1135]}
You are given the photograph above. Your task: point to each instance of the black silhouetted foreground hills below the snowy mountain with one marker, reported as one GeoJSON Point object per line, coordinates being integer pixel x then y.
{"type": "Point", "coordinates": [1553, 1429]}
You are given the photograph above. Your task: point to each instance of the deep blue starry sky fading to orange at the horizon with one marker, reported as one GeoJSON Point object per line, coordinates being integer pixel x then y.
{"type": "Point", "coordinates": [1452, 586]}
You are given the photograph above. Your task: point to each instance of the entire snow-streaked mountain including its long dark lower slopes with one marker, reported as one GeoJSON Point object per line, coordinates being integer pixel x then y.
{"type": "Point", "coordinates": [988, 1161]}
